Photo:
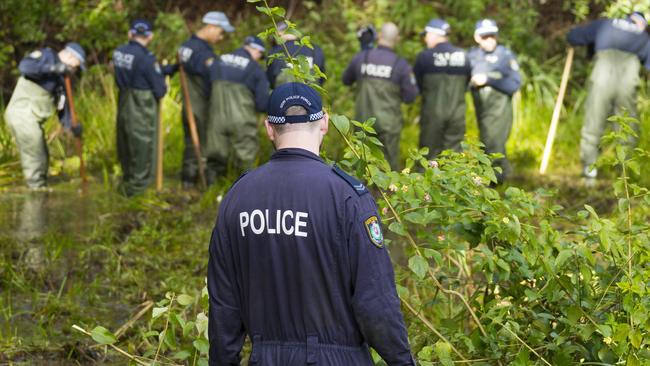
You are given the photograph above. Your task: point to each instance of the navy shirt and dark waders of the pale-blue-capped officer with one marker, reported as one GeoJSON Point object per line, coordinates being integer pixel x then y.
{"type": "Point", "coordinates": [198, 59]}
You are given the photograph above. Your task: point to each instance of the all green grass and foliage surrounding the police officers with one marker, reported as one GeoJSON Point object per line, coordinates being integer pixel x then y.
{"type": "Point", "coordinates": [553, 276]}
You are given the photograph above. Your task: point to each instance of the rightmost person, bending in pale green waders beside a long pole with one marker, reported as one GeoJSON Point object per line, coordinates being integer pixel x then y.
{"type": "Point", "coordinates": [619, 45]}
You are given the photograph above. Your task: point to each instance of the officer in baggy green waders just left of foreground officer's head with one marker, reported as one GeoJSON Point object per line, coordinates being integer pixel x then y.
{"type": "Point", "coordinates": [239, 89]}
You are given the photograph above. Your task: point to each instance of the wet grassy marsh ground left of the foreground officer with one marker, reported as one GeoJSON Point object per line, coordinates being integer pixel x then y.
{"type": "Point", "coordinates": [89, 258]}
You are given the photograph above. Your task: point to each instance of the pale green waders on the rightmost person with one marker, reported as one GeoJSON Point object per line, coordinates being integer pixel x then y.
{"type": "Point", "coordinates": [612, 89]}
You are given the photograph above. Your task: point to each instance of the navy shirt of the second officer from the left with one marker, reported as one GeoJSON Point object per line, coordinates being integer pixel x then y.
{"type": "Point", "coordinates": [136, 68]}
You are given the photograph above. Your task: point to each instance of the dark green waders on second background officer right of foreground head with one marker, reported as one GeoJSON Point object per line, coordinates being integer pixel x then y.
{"type": "Point", "coordinates": [442, 117]}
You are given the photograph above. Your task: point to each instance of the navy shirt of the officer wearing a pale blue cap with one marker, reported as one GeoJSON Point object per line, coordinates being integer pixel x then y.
{"type": "Point", "coordinates": [198, 59]}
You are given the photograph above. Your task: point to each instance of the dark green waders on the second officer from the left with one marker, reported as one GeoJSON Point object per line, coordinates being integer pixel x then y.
{"type": "Point", "coordinates": [137, 116]}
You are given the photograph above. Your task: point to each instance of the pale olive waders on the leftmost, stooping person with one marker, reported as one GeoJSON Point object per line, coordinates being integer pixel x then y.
{"type": "Point", "coordinates": [29, 107]}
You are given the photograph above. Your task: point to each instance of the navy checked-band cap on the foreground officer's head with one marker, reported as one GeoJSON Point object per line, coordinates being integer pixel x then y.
{"type": "Point", "coordinates": [294, 94]}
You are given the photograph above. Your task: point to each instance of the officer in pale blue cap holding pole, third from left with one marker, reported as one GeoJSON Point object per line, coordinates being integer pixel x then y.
{"type": "Point", "coordinates": [198, 58]}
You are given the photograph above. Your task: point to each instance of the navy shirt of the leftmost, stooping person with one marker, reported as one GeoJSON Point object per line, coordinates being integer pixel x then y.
{"type": "Point", "coordinates": [37, 67]}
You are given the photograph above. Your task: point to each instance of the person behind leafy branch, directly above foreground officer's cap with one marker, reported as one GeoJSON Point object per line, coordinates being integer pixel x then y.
{"type": "Point", "coordinates": [278, 72]}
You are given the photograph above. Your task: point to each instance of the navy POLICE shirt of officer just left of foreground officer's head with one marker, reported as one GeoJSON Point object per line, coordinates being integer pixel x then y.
{"type": "Point", "coordinates": [239, 67]}
